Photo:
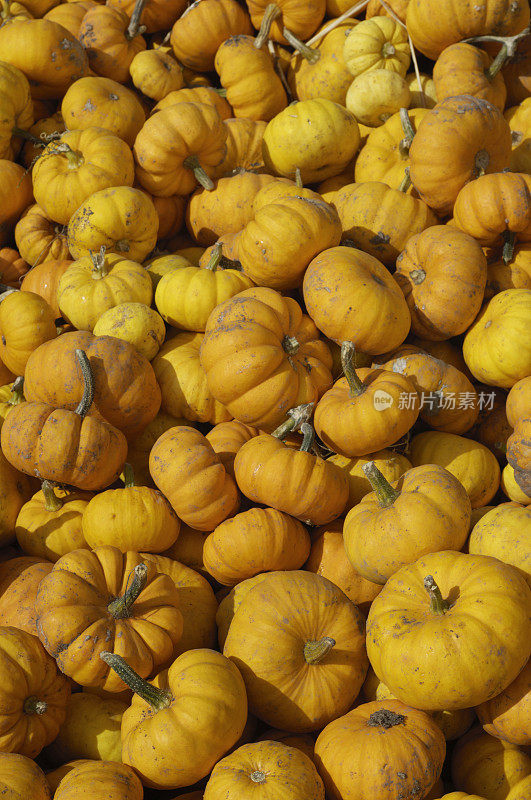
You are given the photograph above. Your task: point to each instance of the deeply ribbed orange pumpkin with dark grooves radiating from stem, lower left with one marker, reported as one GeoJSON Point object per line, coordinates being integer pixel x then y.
{"type": "Point", "coordinates": [88, 603]}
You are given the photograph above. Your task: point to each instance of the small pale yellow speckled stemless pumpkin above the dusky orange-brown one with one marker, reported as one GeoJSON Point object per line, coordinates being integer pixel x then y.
{"type": "Point", "coordinates": [135, 323]}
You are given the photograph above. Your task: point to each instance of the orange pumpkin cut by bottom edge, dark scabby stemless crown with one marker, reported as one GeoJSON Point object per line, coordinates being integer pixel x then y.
{"type": "Point", "coordinates": [358, 758]}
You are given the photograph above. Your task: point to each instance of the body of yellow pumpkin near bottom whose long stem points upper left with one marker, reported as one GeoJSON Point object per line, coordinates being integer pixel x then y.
{"type": "Point", "coordinates": [185, 740]}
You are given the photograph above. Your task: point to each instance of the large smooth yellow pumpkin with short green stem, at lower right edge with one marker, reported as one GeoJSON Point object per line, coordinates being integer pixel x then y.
{"type": "Point", "coordinates": [407, 642]}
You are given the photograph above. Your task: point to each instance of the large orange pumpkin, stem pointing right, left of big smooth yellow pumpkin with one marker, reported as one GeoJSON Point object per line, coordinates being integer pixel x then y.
{"type": "Point", "coordinates": [266, 640]}
